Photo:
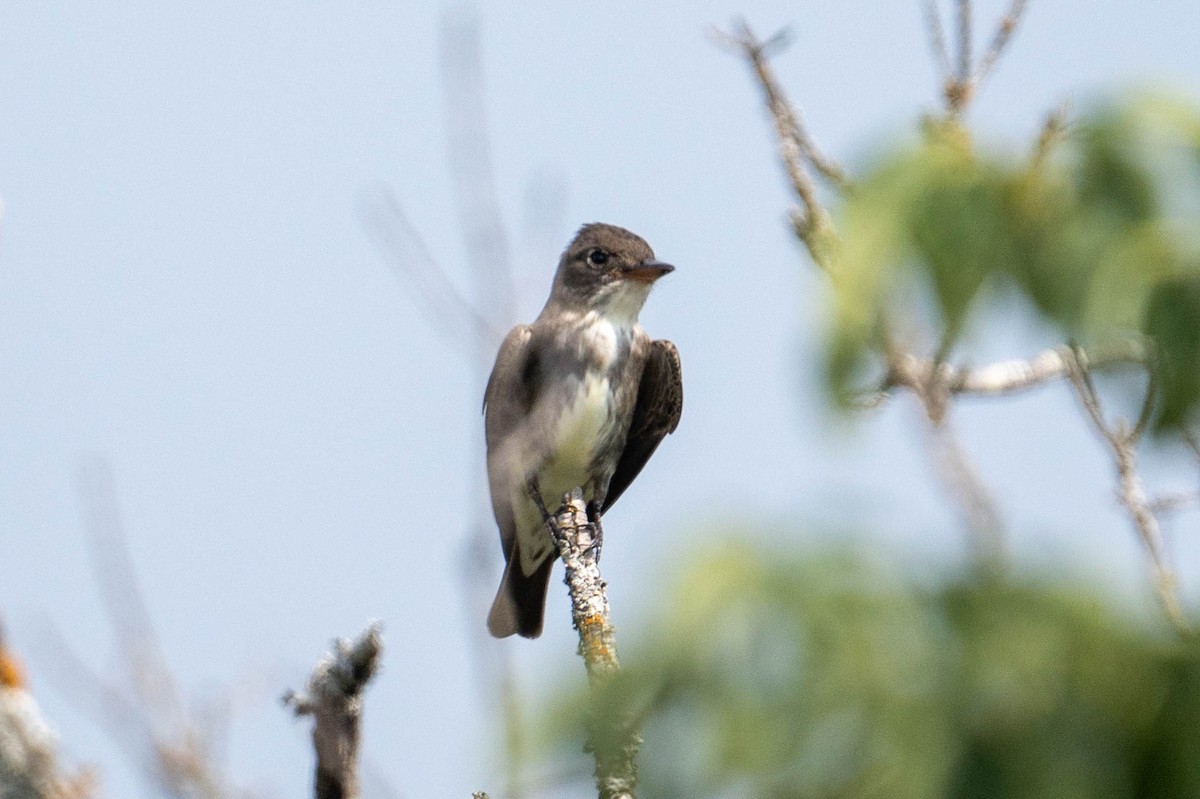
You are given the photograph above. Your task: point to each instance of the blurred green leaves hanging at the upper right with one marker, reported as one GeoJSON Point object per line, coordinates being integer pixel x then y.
{"type": "Point", "coordinates": [1100, 231]}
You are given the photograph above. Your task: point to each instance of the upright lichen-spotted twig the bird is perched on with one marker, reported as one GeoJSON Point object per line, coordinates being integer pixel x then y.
{"type": "Point", "coordinates": [578, 540]}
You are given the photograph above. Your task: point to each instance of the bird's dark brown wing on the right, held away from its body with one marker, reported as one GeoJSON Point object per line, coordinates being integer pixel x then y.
{"type": "Point", "coordinates": [656, 414]}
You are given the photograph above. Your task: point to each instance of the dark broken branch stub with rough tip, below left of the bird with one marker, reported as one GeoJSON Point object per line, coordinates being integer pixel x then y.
{"type": "Point", "coordinates": [334, 699]}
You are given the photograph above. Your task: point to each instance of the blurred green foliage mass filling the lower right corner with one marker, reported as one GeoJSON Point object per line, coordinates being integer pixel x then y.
{"type": "Point", "coordinates": [835, 675]}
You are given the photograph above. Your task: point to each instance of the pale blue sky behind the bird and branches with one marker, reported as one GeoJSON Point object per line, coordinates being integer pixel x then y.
{"type": "Point", "coordinates": [187, 287]}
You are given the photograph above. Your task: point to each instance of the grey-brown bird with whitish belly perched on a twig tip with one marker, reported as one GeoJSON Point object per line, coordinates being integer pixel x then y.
{"type": "Point", "coordinates": [578, 400]}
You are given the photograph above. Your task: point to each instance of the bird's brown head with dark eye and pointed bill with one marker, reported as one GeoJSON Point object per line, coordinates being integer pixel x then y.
{"type": "Point", "coordinates": [607, 269]}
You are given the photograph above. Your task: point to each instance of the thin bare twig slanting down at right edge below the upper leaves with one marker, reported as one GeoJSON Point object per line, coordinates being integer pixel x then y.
{"type": "Point", "coordinates": [1121, 441]}
